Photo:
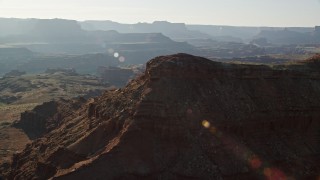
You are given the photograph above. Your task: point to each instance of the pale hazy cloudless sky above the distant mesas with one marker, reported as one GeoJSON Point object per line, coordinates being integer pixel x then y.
{"type": "Point", "coordinates": [222, 12]}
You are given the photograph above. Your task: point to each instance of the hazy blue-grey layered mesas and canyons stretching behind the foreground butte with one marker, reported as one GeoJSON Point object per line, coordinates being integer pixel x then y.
{"type": "Point", "coordinates": [33, 45]}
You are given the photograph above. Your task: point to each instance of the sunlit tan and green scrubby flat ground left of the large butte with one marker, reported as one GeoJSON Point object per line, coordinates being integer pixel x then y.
{"type": "Point", "coordinates": [23, 93]}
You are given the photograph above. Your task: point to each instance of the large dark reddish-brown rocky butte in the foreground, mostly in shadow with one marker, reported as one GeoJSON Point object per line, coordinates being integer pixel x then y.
{"type": "Point", "coordinates": [189, 118]}
